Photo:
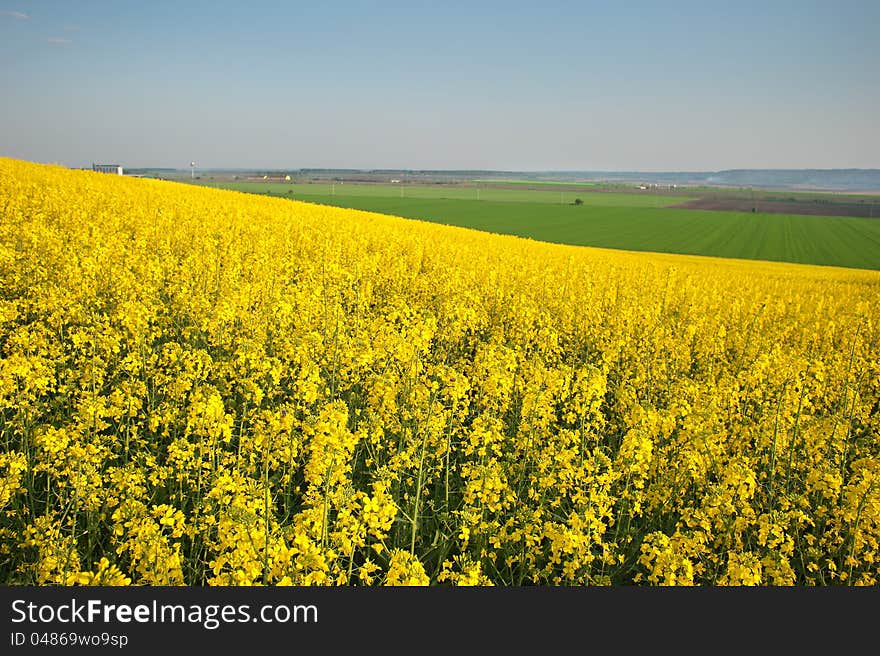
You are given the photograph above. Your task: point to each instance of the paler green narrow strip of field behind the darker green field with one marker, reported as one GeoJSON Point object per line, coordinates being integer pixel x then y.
{"type": "Point", "coordinates": [303, 191]}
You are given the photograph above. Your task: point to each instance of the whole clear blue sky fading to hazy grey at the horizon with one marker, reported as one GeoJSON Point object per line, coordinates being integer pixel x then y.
{"type": "Point", "coordinates": [644, 86]}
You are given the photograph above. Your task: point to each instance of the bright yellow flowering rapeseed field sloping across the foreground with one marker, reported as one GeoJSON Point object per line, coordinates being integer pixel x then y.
{"type": "Point", "coordinates": [200, 387]}
